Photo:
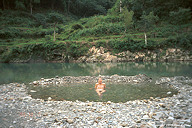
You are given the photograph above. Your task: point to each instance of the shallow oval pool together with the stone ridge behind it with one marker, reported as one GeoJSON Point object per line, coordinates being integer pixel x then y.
{"type": "Point", "coordinates": [82, 88]}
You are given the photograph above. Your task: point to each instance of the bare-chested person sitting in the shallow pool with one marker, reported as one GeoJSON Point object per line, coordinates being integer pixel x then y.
{"type": "Point", "coordinates": [100, 87]}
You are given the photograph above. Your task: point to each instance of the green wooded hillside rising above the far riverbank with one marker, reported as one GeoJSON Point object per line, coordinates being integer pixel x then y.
{"type": "Point", "coordinates": [39, 28]}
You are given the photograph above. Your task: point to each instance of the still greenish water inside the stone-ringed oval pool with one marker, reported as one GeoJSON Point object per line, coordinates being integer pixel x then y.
{"type": "Point", "coordinates": [114, 92]}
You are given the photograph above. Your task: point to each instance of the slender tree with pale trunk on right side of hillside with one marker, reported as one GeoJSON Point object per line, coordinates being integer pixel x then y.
{"type": "Point", "coordinates": [147, 22]}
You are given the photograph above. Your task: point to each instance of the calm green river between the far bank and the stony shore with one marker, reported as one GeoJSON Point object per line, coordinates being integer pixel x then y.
{"type": "Point", "coordinates": [34, 71]}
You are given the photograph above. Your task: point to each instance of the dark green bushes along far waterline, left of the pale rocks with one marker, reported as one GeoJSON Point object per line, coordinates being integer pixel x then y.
{"type": "Point", "coordinates": [50, 51]}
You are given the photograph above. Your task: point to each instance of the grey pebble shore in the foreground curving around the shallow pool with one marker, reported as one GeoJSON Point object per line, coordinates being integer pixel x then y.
{"type": "Point", "coordinates": [18, 109]}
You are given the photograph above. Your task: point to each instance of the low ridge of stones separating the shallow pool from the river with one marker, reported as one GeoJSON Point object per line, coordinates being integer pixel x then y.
{"type": "Point", "coordinates": [92, 79]}
